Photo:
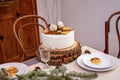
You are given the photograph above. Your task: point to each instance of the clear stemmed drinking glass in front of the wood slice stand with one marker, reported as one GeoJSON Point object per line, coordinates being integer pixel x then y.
{"type": "Point", "coordinates": [45, 55]}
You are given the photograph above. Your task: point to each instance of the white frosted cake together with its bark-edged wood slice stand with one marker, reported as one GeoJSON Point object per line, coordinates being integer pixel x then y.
{"type": "Point", "coordinates": [60, 39]}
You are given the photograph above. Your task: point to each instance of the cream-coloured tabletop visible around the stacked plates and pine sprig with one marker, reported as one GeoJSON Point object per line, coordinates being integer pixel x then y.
{"type": "Point", "coordinates": [107, 75]}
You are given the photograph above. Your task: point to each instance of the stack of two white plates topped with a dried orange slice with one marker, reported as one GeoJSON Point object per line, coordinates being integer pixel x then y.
{"type": "Point", "coordinates": [97, 62]}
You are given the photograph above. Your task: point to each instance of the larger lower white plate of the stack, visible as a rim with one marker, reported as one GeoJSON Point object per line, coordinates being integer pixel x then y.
{"type": "Point", "coordinates": [80, 63]}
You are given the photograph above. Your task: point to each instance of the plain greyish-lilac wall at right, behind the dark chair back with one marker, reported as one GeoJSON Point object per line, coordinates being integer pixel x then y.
{"type": "Point", "coordinates": [87, 17]}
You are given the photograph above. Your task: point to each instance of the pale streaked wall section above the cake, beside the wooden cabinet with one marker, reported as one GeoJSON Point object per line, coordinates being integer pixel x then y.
{"type": "Point", "coordinates": [50, 10]}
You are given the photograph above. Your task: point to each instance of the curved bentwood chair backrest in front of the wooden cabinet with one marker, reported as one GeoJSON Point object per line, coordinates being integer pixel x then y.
{"type": "Point", "coordinates": [19, 28]}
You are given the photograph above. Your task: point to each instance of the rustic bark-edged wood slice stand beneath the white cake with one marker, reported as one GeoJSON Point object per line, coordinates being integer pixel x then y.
{"type": "Point", "coordinates": [60, 56]}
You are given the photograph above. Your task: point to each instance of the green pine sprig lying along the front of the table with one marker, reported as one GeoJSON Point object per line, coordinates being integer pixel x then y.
{"type": "Point", "coordinates": [60, 73]}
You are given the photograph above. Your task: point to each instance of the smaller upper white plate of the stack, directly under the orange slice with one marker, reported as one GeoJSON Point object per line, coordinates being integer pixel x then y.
{"type": "Point", "coordinates": [106, 61]}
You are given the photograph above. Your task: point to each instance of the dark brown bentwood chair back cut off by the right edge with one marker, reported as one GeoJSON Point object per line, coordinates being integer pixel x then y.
{"type": "Point", "coordinates": [107, 30]}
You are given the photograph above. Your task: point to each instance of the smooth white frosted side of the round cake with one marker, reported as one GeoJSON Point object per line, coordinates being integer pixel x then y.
{"type": "Point", "coordinates": [58, 41]}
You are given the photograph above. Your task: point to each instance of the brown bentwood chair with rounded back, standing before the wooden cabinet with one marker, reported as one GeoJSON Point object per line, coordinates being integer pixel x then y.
{"type": "Point", "coordinates": [20, 33]}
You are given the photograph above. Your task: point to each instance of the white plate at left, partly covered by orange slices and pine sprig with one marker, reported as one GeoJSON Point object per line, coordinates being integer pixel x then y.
{"type": "Point", "coordinates": [22, 68]}
